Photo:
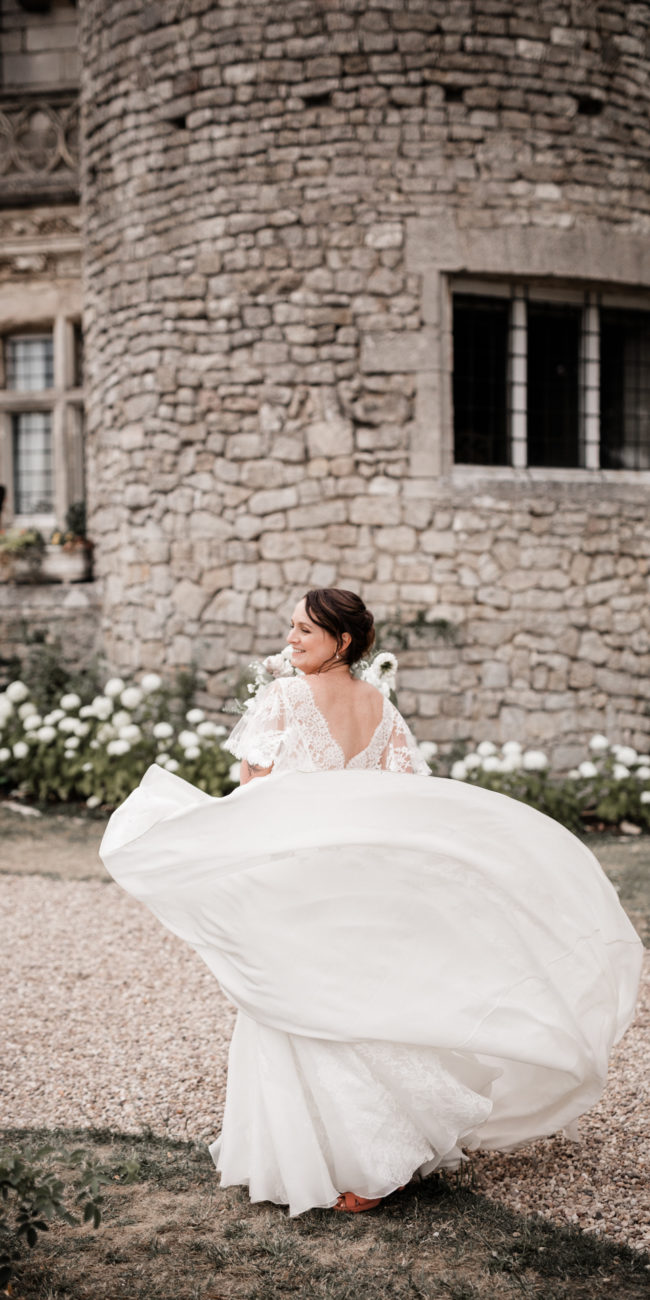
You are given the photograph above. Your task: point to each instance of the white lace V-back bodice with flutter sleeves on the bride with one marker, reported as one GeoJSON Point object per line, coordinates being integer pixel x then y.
{"type": "Point", "coordinates": [285, 727]}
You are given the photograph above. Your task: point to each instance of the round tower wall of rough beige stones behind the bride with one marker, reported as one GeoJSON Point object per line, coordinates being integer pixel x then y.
{"type": "Point", "coordinates": [278, 198]}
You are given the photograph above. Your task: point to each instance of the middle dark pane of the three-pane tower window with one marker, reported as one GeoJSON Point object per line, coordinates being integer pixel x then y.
{"type": "Point", "coordinates": [553, 385]}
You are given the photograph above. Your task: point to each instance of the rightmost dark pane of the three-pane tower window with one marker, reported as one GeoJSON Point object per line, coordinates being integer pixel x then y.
{"type": "Point", "coordinates": [625, 389]}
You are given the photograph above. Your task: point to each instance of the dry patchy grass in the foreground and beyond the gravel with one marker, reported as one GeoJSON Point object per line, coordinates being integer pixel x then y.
{"type": "Point", "coordinates": [172, 1234]}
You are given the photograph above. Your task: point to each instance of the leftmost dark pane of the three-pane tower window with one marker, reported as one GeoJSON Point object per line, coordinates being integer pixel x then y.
{"type": "Point", "coordinates": [480, 370]}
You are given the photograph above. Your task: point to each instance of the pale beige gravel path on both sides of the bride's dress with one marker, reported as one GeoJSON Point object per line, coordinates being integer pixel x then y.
{"type": "Point", "coordinates": [112, 1022]}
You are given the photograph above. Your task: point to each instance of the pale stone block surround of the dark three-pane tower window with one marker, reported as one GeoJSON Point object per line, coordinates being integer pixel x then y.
{"type": "Point", "coordinates": [443, 253]}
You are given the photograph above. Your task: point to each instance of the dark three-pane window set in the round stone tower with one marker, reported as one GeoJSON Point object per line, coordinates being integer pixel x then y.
{"type": "Point", "coordinates": [544, 383]}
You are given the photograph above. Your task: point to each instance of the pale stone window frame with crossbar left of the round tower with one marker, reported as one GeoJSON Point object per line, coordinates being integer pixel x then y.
{"type": "Point", "coordinates": [45, 310]}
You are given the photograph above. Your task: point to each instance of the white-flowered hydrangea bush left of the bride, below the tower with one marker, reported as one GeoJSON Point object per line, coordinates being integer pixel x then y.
{"type": "Point", "coordinates": [99, 751]}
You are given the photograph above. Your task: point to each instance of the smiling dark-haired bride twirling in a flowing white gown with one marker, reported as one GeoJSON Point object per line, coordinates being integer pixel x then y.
{"type": "Point", "coordinates": [422, 968]}
